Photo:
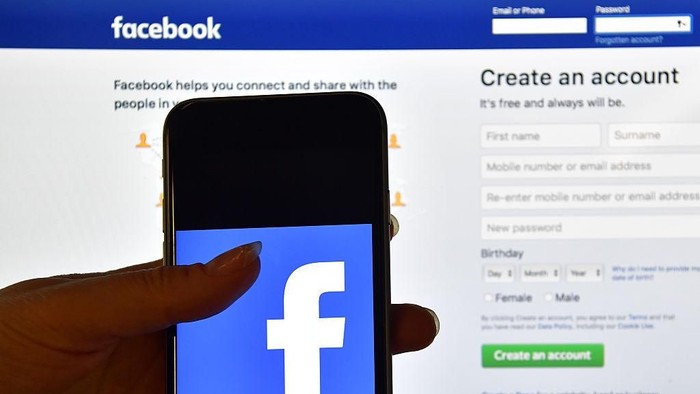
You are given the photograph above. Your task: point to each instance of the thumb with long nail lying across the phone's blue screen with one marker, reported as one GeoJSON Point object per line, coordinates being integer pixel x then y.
{"type": "Point", "coordinates": [132, 303]}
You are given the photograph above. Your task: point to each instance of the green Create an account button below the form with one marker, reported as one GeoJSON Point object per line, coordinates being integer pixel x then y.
{"type": "Point", "coordinates": [579, 355]}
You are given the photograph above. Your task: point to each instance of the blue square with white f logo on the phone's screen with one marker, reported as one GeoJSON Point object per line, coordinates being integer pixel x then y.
{"type": "Point", "coordinates": [306, 325]}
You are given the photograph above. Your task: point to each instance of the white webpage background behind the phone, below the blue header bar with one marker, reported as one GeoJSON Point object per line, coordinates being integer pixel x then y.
{"type": "Point", "coordinates": [78, 196]}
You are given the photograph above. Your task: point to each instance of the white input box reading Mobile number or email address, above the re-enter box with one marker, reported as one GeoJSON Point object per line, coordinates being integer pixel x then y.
{"type": "Point", "coordinates": [590, 166]}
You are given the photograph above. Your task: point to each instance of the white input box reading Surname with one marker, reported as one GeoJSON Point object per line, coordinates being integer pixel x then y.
{"type": "Point", "coordinates": [653, 134]}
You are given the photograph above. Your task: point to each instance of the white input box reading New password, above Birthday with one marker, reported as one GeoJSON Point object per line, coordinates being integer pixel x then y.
{"type": "Point", "coordinates": [590, 227]}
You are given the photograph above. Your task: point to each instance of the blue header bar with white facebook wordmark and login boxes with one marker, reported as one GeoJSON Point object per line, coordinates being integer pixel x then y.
{"type": "Point", "coordinates": [346, 24]}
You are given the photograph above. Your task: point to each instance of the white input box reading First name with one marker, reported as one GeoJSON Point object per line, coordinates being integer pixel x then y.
{"type": "Point", "coordinates": [540, 135]}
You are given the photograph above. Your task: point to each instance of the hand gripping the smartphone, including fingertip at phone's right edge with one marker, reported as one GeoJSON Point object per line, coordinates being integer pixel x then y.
{"type": "Point", "coordinates": [106, 332]}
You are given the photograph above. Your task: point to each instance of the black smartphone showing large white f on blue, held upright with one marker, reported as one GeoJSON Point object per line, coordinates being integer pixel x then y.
{"type": "Point", "coordinates": [307, 176]}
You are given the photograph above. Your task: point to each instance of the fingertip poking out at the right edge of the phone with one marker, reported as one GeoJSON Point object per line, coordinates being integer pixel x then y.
{"type": "Point", "coordinates": [412, 328]}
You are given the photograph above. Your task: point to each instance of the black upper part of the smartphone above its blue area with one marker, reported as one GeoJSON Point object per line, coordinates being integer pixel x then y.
{"type": "Point", "coordinates": [277, 161]}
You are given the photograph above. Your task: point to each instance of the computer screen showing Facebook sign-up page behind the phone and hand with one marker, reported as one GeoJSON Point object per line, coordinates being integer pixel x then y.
{"type": "Point", "coordinates": [544, 160]}
